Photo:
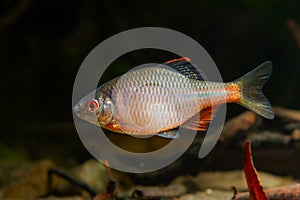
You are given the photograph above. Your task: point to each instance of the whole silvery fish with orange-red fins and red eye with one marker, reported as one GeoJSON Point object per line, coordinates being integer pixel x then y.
{"type": "Point", "coordinates": [157, 100]}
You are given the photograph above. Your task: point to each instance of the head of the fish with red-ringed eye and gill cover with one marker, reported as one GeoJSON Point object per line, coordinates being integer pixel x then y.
{"type": "Point", "coordinates": [96, 109]}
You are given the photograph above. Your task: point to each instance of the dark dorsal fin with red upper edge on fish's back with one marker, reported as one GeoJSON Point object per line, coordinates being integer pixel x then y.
{"type": "Point", "coordinates": [185, 67]}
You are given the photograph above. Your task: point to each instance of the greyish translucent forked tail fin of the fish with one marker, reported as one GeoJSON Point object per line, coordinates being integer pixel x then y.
{"type": "Point", "coordinates": [251, 90]}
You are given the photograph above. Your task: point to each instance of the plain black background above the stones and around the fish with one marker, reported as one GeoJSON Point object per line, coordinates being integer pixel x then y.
{"type": "Point", "coordinates": [43, 43]}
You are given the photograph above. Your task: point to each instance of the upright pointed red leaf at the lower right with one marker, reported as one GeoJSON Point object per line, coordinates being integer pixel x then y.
{"type": "Point", "coordinates": [256, 191]}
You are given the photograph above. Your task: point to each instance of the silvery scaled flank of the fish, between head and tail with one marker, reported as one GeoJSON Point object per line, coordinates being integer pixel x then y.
{"type": "Point", "coordinates": [173, 97]}
